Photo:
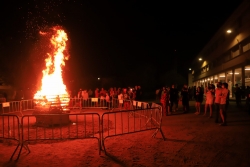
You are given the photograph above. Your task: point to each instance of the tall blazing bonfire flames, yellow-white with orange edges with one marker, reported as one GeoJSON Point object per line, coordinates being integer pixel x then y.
{"type": "Point", "coordinates": [52, 86]}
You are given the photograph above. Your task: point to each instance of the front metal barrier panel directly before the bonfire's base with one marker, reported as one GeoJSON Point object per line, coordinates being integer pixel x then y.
{"type": "Point", "coordinates": [59, 127]}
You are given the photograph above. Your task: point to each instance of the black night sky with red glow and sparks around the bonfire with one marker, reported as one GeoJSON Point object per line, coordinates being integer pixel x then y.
{"type": "Point", "coordinates": [110, 39]}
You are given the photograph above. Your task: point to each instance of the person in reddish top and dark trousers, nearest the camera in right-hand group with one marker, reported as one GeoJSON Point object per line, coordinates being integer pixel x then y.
{"type": "Point", "coordinates": [223, 101]}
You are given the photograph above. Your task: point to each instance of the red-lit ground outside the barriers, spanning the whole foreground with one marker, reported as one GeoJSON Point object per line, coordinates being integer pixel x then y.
{"type": "Point", "coordinates": [191, 140]}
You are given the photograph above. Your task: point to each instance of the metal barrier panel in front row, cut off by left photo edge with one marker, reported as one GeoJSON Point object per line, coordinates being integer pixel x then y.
{"type": "Point", "coordinates": [9, 129]}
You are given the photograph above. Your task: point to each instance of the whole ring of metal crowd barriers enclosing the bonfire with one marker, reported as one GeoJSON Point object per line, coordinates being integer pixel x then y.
{"type": "Point", "coordinates": [136, 117]}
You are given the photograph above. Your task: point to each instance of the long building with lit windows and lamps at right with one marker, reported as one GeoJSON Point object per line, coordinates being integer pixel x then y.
{"type": "Point", "coordinates": [226, 57]}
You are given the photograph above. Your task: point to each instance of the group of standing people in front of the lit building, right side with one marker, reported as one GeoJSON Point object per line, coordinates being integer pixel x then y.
{"type": "Point", "coordinates": [215, 98]}
